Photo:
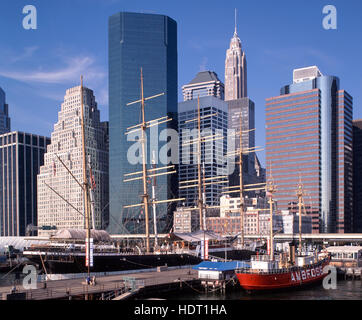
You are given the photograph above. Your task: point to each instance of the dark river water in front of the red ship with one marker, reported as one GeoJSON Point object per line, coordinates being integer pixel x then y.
{"type": "Point", "coordinates": [346, 290]}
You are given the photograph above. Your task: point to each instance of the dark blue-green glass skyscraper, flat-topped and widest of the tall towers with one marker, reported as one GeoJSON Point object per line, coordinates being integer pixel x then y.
{"type": "Point", "coordinates": [147, 41]}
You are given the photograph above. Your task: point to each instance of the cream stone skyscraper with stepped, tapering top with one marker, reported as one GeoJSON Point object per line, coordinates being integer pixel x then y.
{"type": "Point", "coordinates": [66, 143]}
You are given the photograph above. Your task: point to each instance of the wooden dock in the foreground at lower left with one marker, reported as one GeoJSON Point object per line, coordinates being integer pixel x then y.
{"type": "Point", "coordinates": [114, 287]}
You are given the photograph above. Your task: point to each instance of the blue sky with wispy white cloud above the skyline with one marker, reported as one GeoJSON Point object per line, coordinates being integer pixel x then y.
{"type": "Point", "coordinates": [37, 66]}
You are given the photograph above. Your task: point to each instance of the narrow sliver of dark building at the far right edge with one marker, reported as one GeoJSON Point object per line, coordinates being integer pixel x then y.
{"type": "Point", "coordinates": [357, 175]}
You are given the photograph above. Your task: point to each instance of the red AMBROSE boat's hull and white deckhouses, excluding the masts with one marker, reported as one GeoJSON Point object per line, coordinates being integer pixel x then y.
{"type": "Point", "coordinates": [265, 274]}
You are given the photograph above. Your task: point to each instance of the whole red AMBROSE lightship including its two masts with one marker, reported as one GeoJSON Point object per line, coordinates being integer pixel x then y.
{"type": "Point", "coordinates": [270, 272]}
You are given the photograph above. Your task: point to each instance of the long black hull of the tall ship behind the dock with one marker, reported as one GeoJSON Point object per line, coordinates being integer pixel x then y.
{"type": "Point", "coordinates": [123, 262]}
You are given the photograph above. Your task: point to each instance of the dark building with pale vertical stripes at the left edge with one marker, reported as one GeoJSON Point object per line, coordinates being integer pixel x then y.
{"type": "Point", "coordinates": [21, 155]}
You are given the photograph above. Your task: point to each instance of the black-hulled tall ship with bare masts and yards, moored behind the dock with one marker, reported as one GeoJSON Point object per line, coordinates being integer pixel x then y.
{"type": "Point", "coordinates": [89, 250]}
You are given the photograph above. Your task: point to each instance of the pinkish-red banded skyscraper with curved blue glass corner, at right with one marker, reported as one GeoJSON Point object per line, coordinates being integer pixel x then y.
{"type": "Point", "coordinates": [309, 137]}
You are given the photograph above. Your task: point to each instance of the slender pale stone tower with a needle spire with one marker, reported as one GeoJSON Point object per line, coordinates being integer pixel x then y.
{"type": "Point", "coordinates": [235, 70]}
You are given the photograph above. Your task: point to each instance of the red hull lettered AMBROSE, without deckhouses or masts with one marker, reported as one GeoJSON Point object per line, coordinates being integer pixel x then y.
{"type": "Point", "coordinates": [292, 278]}
